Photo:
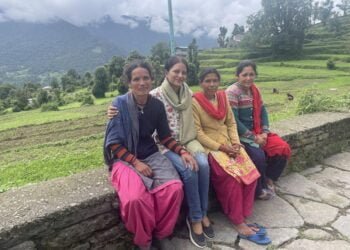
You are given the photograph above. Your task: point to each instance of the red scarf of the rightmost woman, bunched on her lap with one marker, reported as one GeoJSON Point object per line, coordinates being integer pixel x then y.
{"type": "Point", "coordinates": [275, 145]}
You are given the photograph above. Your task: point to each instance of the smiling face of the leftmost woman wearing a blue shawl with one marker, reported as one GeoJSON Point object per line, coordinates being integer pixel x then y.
{"type": "Point", "coordinates": [140, 82]}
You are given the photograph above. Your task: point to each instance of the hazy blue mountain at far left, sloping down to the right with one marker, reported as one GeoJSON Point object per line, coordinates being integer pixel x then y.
{"type": "Point", "coordinates": [29, 52]}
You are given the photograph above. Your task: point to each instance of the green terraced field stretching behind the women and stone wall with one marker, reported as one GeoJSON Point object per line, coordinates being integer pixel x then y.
{"type": "Point", "coordinates": [36, 146]}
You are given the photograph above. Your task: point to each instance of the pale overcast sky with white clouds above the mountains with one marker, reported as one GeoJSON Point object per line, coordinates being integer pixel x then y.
{"type": "Point", "coordinates": [190, 16]}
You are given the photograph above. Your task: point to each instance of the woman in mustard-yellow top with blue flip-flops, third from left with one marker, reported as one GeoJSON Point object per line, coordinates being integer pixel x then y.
{"type": "Point", "coordinates": [233, 174]}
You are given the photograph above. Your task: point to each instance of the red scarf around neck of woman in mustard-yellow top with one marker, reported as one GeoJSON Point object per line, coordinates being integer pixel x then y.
{"type": "Point", "coordinates": [218, 113]}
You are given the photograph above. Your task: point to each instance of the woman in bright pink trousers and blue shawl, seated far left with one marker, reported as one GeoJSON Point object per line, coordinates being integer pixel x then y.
{"type": "Point", "coordinates": [148, 186]}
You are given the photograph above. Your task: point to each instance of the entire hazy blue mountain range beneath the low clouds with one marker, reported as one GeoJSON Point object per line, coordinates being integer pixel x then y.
{"type": "Point", "coordinates": [37, 51]}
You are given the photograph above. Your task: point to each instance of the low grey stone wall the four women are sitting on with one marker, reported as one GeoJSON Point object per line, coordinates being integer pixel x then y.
{"type": "Point", "coordinates": [81, 212]}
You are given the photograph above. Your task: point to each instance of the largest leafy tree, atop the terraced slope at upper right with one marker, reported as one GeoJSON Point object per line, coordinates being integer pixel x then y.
{"type": "Point", "coordinates": [282, 23]}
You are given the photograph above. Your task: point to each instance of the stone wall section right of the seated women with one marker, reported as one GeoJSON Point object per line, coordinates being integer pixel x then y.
{"type": "Point", "coordinates": [314, 137]}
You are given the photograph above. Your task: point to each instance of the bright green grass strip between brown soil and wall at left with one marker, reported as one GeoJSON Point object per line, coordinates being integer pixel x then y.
{"type": "Point", "coordinates": [47, 161]}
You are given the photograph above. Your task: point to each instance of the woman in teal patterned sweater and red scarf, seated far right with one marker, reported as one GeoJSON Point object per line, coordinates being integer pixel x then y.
{"type": "Point", "coordinates": [267, 150]}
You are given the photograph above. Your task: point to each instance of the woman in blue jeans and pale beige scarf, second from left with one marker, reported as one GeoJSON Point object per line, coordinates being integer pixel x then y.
{"type": "Point", "coordinates": [175, 94]}
